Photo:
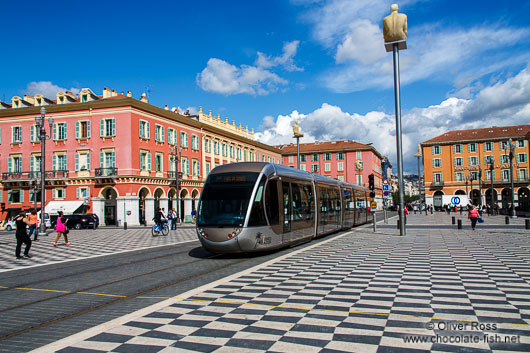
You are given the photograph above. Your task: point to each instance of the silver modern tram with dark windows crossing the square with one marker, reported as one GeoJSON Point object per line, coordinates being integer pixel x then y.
{"type": "Point", "coordinates": [256, 206]}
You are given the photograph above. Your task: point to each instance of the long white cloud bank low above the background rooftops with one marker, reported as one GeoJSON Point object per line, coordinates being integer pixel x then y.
{"type": "Point", "coordinates": [502, 103]}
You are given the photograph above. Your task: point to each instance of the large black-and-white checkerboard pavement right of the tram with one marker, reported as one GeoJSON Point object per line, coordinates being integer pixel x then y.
{"type": "Point", "coordinates": [358, 292]}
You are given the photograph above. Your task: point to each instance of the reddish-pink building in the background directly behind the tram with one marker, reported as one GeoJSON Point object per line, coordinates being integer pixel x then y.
{"type": "Point", "coordinates": [348, 161]}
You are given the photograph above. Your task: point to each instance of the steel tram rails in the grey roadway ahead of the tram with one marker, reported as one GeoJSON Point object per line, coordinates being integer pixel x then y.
{"type": "Point", "coordinates": [115, 300]}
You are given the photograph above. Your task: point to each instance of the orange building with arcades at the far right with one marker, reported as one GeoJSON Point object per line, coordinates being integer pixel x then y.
{"type": "Point", "coordinates": [476, 163]}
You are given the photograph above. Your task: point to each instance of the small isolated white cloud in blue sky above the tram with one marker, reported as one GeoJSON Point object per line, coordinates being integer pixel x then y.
{"type": "Point", "coordinates": [222, 77]}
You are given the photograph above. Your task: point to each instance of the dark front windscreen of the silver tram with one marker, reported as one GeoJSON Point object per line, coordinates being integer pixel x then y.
{"type": "Point", "coordinates": [225, 199]}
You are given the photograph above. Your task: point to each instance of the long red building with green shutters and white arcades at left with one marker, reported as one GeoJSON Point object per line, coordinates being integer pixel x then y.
{"type": "Point", "coordinates": [115, 154]}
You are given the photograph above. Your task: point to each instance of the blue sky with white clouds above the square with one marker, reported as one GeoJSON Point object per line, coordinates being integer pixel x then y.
{"type": "Point", "coordinates": [268, 63]}
